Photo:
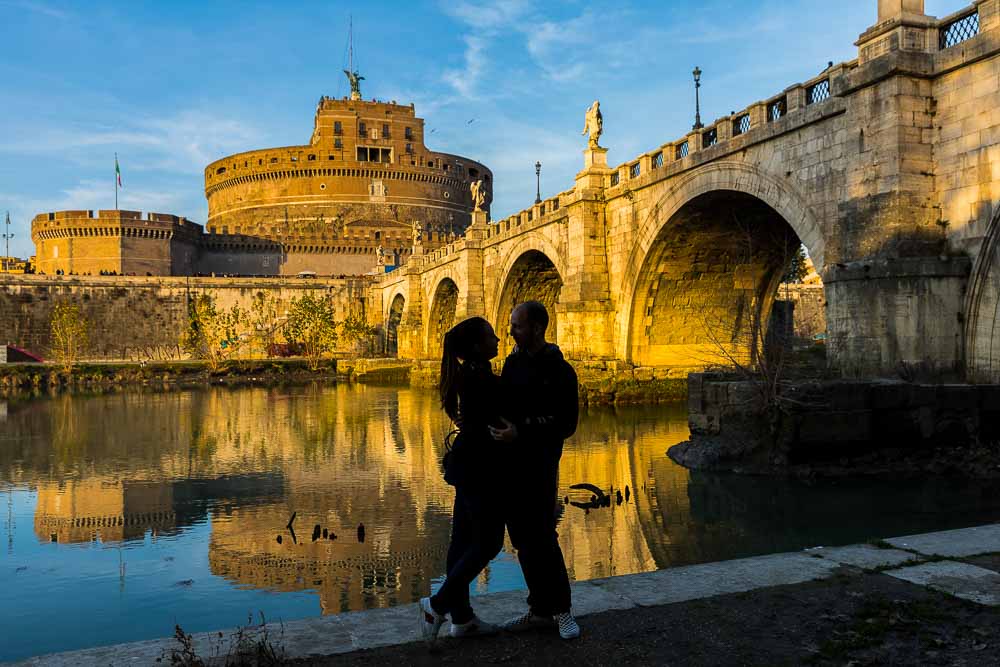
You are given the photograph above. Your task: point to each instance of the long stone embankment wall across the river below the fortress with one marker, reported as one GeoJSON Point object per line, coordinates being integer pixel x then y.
{"type": "Point", "coordinates": [143, 318]}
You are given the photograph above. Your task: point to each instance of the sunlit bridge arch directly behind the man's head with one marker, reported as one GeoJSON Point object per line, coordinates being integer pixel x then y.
{"type": "Point", "coordinates": [531, 276]}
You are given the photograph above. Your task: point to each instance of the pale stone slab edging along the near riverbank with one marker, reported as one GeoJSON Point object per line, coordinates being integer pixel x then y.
{"type": "Point", "coordinates": [936, 561]}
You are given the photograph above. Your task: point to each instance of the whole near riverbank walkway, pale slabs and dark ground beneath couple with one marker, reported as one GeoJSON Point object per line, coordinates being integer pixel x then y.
{"type": "Point", "coordinates": [919, 599]}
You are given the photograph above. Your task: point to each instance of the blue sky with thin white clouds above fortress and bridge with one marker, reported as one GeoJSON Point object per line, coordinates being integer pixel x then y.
{"type": "Point", "coordinates": [174, 85]}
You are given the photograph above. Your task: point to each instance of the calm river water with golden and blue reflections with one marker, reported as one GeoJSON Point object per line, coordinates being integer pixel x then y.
{"type": "Point", "coordinates": [127, 513]}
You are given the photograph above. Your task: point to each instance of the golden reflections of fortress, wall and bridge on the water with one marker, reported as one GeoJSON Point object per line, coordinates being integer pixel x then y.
{"type": "Point", "coordinates": [131, 466]}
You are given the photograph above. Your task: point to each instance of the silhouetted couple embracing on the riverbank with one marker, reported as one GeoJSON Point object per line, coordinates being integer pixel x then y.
{"type": "Point", "coordinates": [512, 425]}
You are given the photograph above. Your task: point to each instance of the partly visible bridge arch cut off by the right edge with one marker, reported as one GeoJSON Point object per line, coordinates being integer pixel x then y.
{"type": "Point", "coordinates": [982, 308]}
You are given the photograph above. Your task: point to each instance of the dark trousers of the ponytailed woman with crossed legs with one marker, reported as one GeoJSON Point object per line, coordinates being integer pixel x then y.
{"type": "Point", "coordinates": [476, 538]}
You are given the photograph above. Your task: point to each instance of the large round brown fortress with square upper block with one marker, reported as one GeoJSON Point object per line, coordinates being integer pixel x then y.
{"type": "Point", "coordinates": [364, 180]}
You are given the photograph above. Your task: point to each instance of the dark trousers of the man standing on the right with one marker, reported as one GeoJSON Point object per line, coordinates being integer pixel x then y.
{"type": "Point", "coordinates": [531, 523]}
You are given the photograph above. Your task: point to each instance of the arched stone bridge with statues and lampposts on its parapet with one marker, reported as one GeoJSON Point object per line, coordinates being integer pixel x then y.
{"type": "Point", "coordinates": [886, 167]}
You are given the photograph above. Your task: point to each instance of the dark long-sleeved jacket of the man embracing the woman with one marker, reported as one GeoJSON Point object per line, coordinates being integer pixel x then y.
{"type": "Point", "coordinates": [540, 392]}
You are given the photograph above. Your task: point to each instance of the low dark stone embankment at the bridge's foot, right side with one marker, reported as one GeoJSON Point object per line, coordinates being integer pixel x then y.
{"type": "Point", "coordinates": [824, 420]}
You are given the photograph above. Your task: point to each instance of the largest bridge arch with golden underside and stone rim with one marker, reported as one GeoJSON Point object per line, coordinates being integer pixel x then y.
{"type": "Point", "coordinates": [705, 265]}
